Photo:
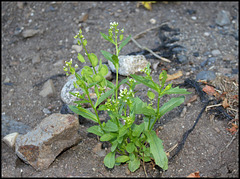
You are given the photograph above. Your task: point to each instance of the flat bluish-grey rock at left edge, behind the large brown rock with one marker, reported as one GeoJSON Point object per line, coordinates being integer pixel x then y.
{"type": "Point", "coordinates": [9, 126]}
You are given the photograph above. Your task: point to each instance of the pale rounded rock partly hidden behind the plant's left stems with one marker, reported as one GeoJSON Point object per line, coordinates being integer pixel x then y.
{"type": "Point", "coordinates": [69, 87]}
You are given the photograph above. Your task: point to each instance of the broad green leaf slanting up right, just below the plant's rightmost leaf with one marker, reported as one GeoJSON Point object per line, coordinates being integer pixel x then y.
{"type": "Point", "coordinates": [168, 106]}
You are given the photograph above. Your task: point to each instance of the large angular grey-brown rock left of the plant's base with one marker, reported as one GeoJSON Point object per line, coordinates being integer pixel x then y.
{"type": "Point", "coordinates": [46, 141]}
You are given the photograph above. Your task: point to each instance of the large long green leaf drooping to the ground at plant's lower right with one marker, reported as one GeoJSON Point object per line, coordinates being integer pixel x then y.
{"type": "Point", "coordinates": [156, 148]}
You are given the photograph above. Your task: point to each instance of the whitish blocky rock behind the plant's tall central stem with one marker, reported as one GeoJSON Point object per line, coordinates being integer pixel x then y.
{"type": "Point", "coordinates": [130, 64]}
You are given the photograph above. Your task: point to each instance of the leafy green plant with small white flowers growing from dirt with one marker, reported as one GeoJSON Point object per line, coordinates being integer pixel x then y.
{"type": "Point", "coordinates": [130, 142]}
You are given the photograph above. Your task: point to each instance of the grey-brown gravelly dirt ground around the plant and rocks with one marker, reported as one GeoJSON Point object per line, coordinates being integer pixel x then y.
{"type": "Point", "coordinates": [209, 149]}
